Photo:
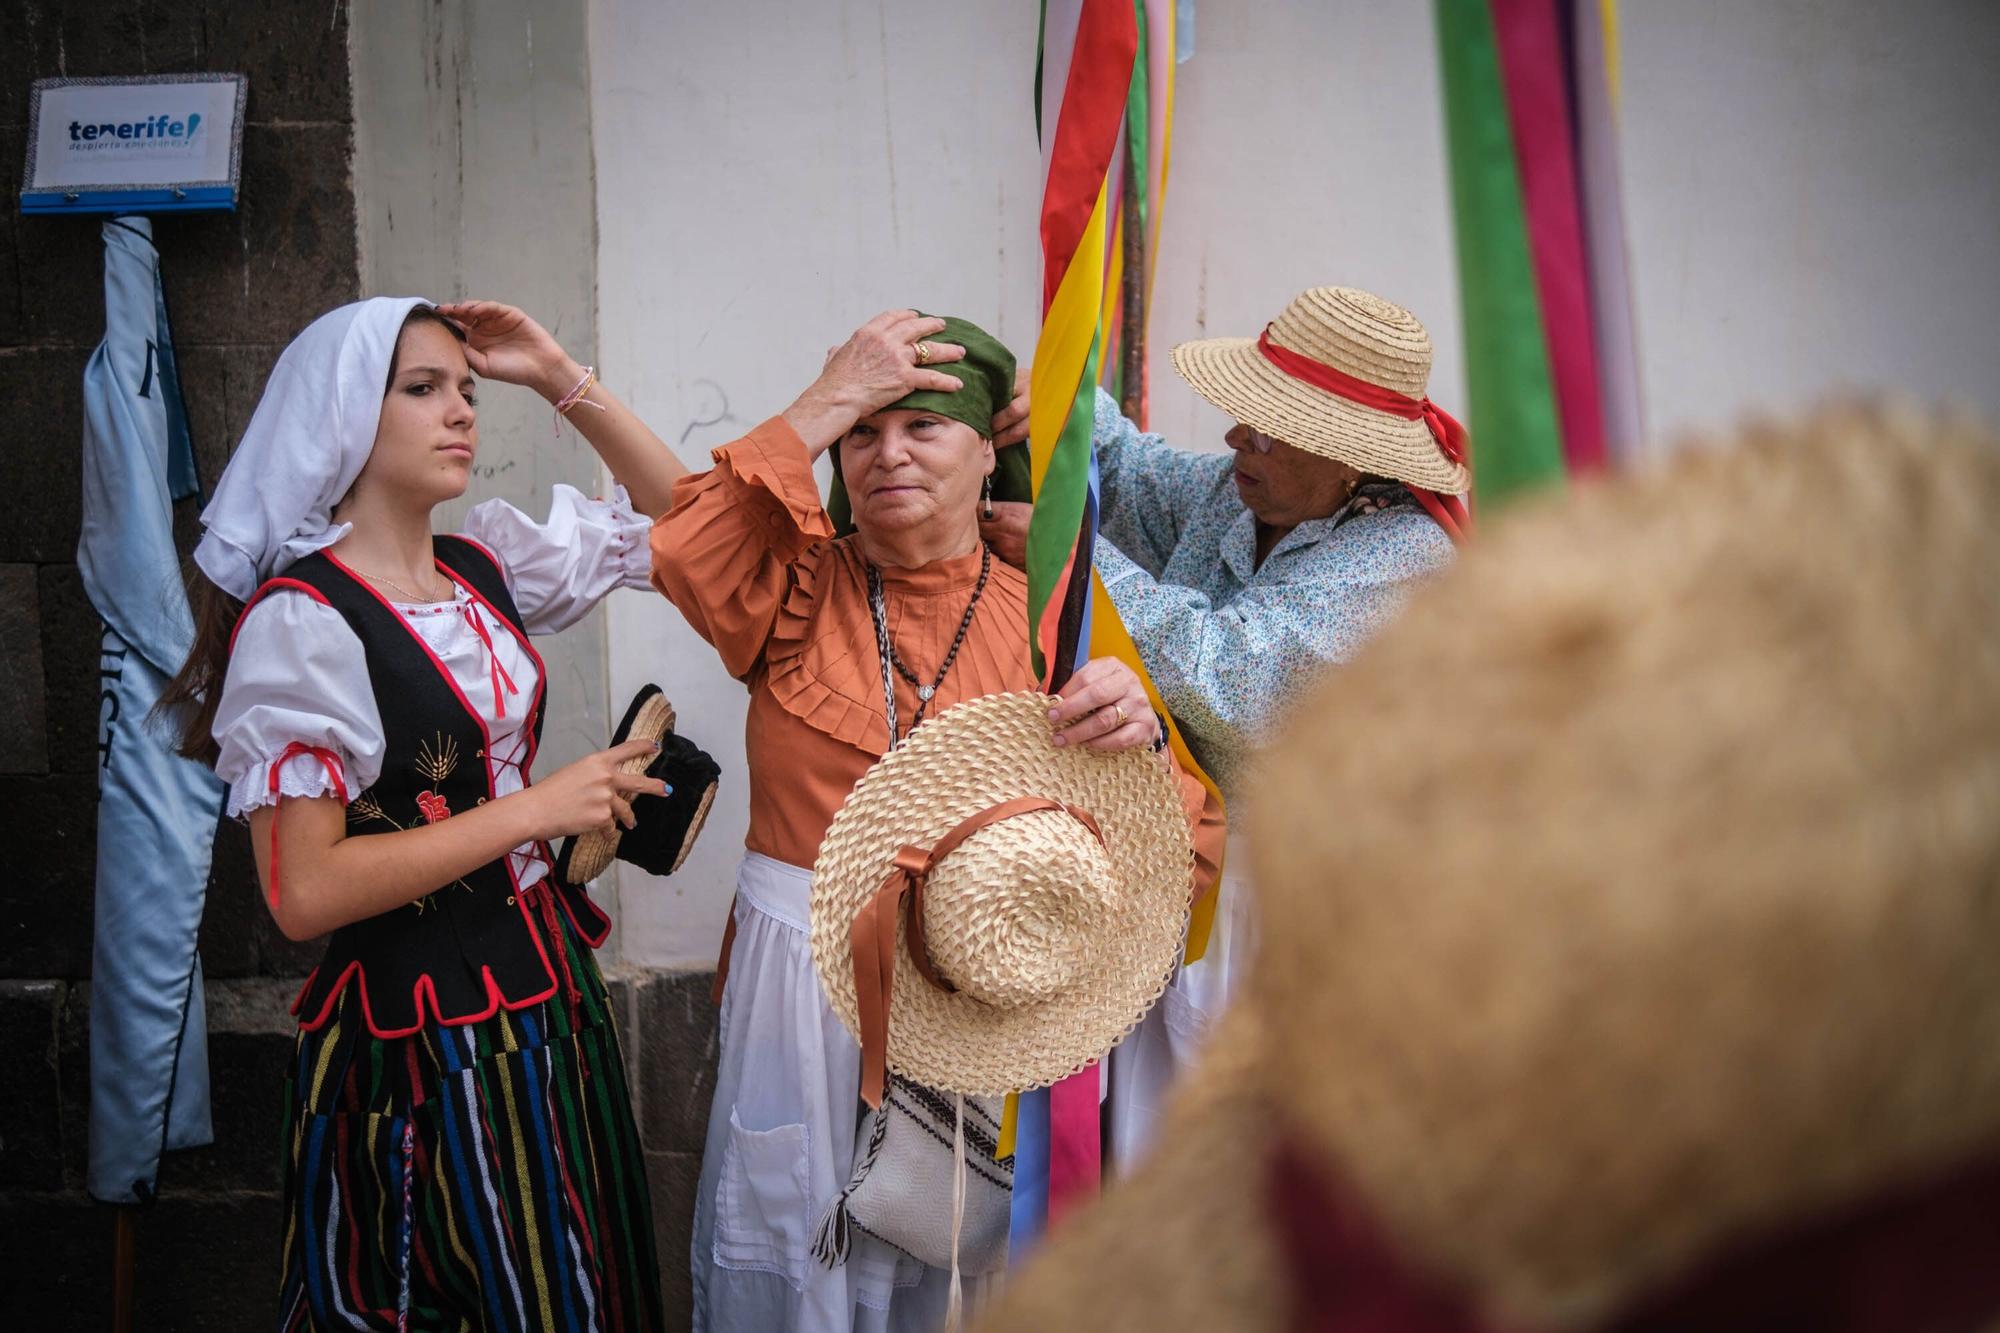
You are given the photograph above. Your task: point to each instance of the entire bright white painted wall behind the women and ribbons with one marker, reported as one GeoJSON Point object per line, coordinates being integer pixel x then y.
{"type": "Point", "coordinates": [1811, 183]}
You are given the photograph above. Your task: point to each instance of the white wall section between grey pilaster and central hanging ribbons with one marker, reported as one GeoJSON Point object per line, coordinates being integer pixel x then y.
{"type": "Point", "coordinates": [769, 177]}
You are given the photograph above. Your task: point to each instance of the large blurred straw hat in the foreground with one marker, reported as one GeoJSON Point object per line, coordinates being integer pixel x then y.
{"type": "Point", "coordinates": [1659, 936]}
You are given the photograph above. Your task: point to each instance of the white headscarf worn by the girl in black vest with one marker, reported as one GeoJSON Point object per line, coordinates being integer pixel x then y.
{"type": "Point", "coordinates": [307, 443]}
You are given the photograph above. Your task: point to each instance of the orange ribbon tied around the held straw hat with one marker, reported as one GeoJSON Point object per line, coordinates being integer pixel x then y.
{"type": "Point", "coordinates": [873, 936]}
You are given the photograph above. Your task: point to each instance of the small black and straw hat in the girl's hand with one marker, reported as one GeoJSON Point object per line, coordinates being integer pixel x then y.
{"type": "Point", "coordinates": [667, 826]}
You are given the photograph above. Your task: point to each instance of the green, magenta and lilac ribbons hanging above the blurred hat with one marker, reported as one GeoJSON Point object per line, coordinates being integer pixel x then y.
{"type": "Point", "coordinates": [1551, 369]}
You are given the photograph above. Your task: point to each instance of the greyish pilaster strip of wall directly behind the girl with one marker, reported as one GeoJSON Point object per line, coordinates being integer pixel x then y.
{"type": "Point", "coordinates": [473, 179]}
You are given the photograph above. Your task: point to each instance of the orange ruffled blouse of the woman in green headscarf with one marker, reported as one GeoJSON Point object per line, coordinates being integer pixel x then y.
{"type": "Point", "coordinates": [751, 559]}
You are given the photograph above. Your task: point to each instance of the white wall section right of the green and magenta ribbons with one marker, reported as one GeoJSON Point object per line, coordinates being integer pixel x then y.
{"type": "Point", "coordinates": [1815, 201]}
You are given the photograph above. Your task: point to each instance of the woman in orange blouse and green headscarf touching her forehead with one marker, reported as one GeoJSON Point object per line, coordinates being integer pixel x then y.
{"type": "Point", "coordinates": [847, 645]}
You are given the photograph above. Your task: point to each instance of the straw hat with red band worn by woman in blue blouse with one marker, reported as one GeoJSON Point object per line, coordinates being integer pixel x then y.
{"type": "Point", "coordinates": [1359, 335]}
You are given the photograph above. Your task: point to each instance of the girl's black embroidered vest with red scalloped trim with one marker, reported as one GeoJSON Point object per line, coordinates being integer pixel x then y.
{"type": "Point", "coordinates": [469, 948]}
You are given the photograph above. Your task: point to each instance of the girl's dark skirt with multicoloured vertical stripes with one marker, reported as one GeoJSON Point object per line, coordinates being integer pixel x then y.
{"type": "Point", "coordinates": [469, 1178]}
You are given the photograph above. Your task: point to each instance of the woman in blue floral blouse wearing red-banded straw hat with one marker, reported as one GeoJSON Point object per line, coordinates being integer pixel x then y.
{"type": "Point", "coordinates": [1245, 575]}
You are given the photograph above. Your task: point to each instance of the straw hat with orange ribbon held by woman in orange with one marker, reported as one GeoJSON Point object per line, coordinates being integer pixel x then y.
{"type": "Point", "coordinates": [1057, 942]}
